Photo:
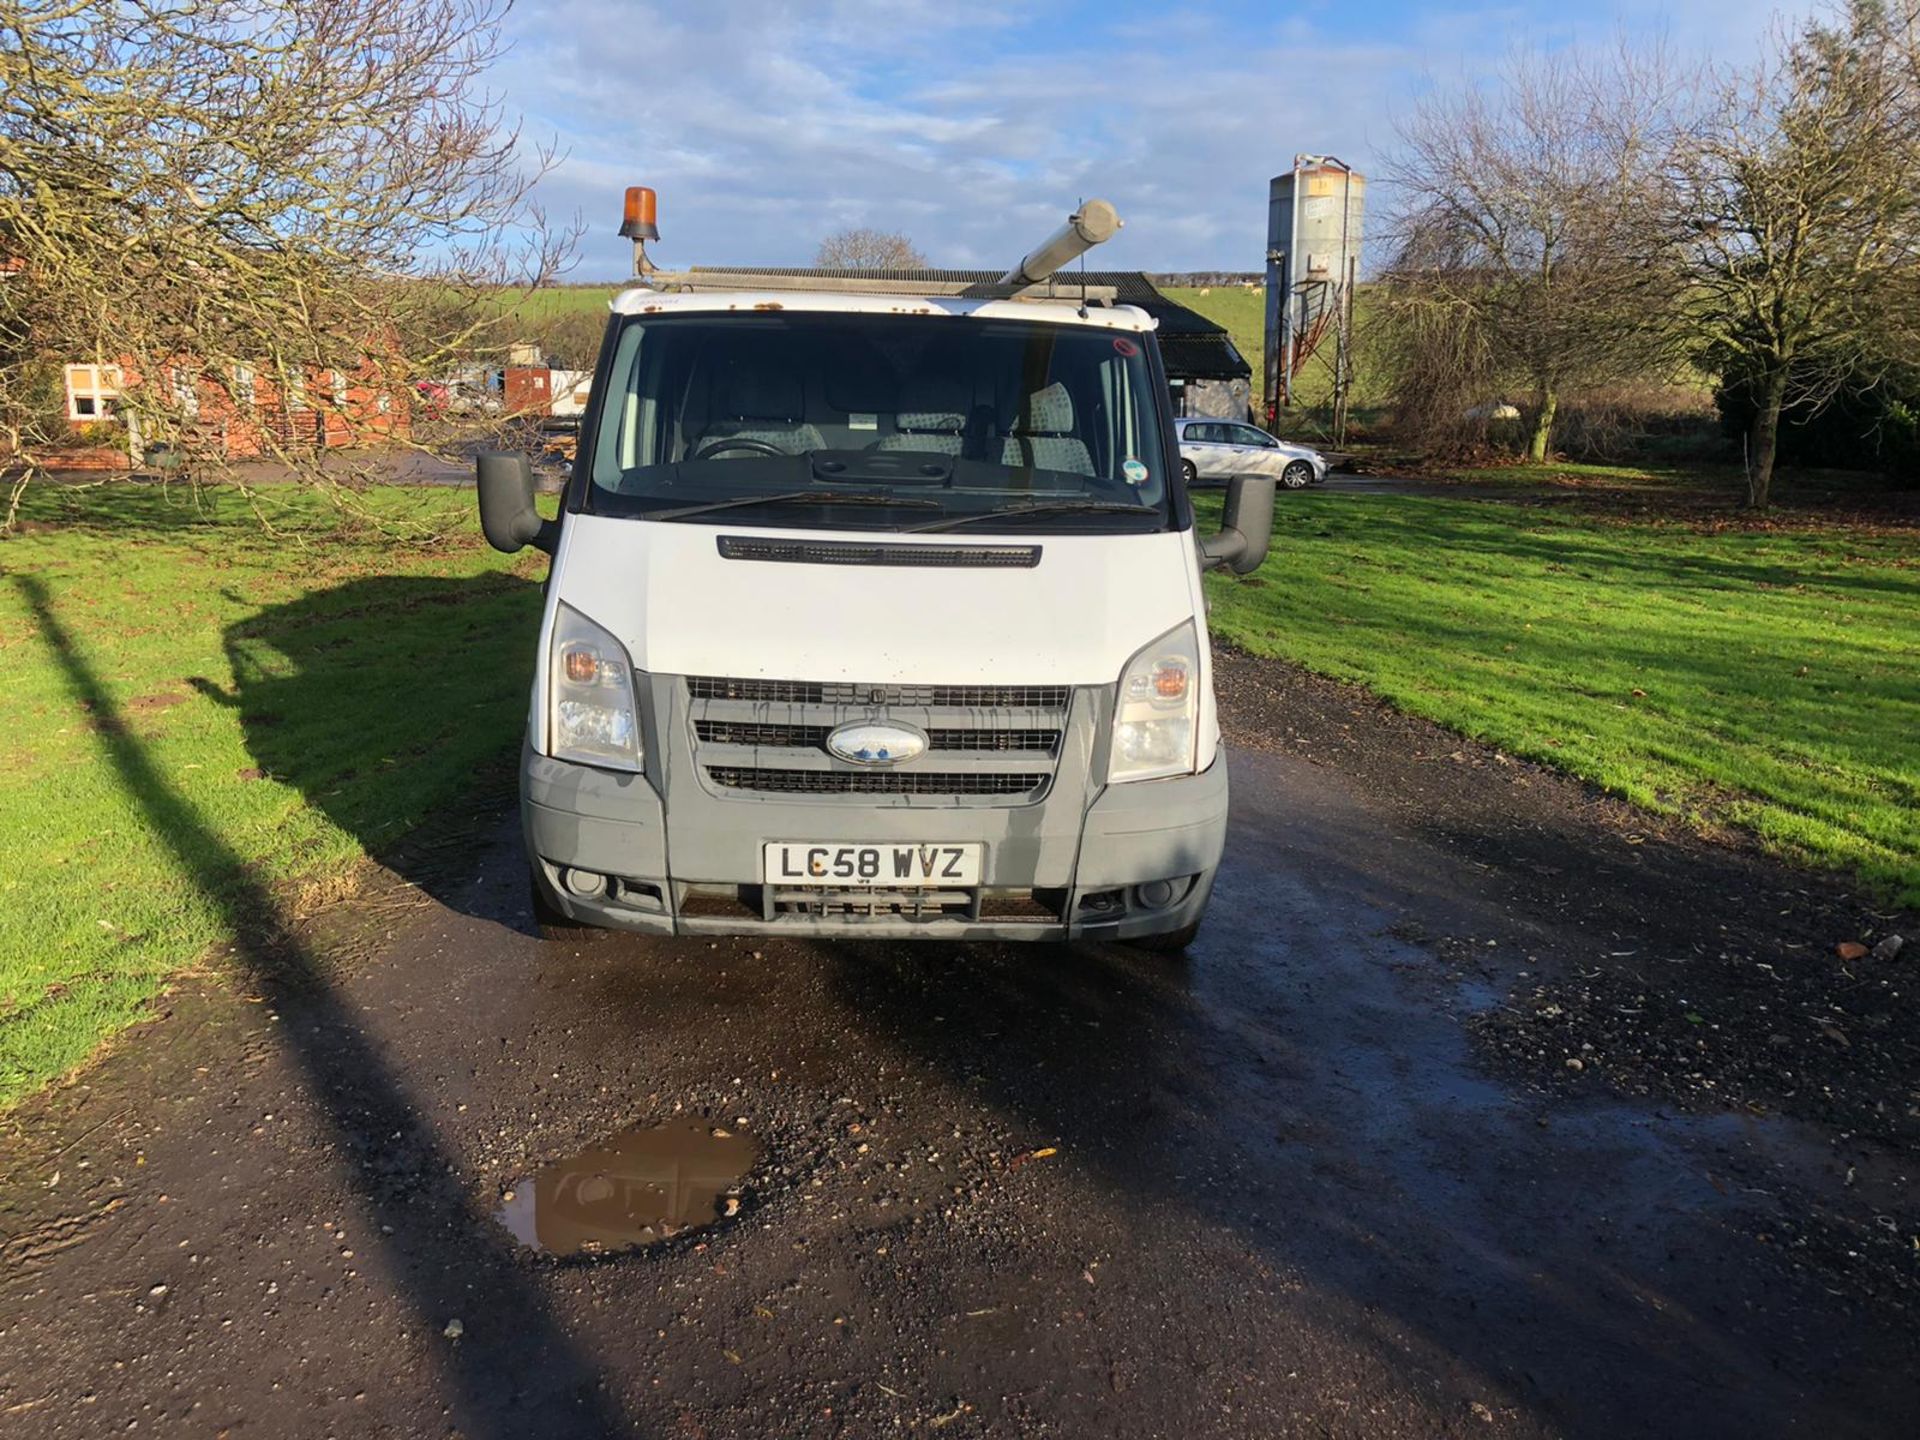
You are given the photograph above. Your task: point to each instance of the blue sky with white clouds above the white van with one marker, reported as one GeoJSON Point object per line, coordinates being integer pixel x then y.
{"type": "Point", "coordinates": [976, 126]}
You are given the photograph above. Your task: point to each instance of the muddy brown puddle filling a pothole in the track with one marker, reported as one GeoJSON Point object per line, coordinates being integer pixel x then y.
{"type": "Point", "coordinates": [635, 1189]}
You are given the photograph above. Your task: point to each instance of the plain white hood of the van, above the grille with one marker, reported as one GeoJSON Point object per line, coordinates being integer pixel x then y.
{"type": "Point", "coordinates": [683, 608]}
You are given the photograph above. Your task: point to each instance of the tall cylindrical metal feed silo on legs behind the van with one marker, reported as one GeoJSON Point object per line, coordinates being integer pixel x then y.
{"type": "Point", "coordinates": [1314, 231]}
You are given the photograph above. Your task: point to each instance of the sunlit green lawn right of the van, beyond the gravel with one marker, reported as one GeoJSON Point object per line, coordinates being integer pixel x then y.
{"type": "Point", "coordinates": [1765, 679]}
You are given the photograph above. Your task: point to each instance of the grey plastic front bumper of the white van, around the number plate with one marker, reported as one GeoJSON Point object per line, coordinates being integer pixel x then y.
{"type": "Point", "coordinates": [1068, 867]}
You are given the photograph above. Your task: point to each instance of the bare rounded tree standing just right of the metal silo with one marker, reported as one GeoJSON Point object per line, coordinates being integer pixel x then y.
{"type": "Point", "coordinates": [1531, 247]}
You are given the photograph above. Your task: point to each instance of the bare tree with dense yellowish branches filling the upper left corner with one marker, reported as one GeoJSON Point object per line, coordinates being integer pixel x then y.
{"type": "Point", "coordinates": [251, 197]}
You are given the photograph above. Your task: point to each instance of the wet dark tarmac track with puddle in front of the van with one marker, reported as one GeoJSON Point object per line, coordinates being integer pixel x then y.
{"type": "Point", "coordinates": [963, 1191]}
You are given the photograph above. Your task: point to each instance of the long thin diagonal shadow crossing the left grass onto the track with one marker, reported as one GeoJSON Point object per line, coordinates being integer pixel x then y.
{"type": "Point", "coordinates": [516, 1381]}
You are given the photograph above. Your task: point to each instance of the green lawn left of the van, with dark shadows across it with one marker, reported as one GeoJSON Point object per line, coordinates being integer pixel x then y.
{"type": "Point", "coordinates": [193, 706]}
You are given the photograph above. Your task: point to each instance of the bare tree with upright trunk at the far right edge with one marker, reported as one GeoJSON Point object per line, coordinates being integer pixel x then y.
{"type": "Point", "coordinates": [1802, 208]}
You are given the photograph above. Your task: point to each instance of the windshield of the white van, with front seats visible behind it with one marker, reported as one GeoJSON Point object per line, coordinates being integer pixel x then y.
{"type": "Point", "coordinates": [878, 423]}
